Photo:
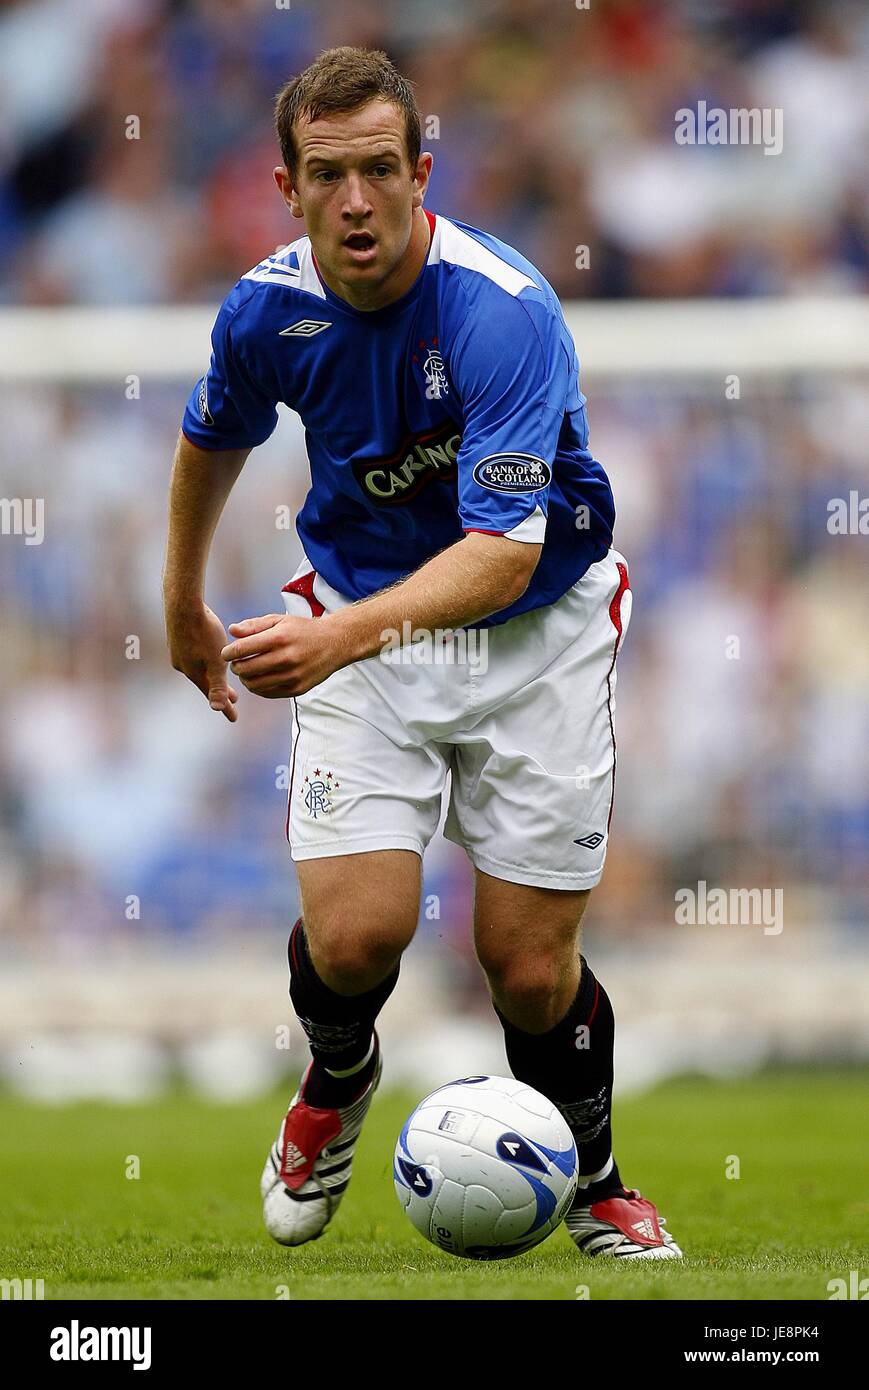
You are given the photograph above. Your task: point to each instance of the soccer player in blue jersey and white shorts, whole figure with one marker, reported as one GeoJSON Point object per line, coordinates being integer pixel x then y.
{"type": "Point", "coordinates": [460, 610]}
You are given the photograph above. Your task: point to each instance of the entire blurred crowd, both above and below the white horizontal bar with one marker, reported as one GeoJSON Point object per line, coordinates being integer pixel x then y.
{"type": "Point", "coordinates": [129, 808]}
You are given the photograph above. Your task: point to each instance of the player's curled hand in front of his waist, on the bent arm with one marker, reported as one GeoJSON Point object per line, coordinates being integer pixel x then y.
{"type": "Point", "coordinates": [279, 657]}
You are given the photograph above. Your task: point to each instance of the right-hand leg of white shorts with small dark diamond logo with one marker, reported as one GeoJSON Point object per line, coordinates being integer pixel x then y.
{"type": "Point", "coordinates": [535, 775]}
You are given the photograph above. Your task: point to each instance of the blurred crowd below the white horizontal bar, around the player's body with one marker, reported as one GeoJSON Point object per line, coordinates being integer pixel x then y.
{"type": "Point", "coordinates": [131, 811]}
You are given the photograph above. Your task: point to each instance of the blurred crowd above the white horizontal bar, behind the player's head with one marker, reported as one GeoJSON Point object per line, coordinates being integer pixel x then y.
{"type": "Point", "coordinates": [551, 126]}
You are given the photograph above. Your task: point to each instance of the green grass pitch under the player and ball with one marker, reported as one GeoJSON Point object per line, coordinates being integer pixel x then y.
{"type": "Point", "coordinates": [190, 1225]}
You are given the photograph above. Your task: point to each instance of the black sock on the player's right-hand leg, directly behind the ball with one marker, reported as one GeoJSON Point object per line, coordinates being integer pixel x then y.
{"type": "Point", "coordinates": [574, 1065]}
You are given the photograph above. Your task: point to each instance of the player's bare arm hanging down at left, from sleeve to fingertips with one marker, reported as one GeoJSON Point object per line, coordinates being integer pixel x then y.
{"type": "Point", "coordinates": [201, 483]}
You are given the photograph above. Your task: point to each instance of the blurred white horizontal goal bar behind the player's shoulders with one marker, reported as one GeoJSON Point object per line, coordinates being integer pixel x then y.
{"type": "Point", "coordinates": [650, 338]}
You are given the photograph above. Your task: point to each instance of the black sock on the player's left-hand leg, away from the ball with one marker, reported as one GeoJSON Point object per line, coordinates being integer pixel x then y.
{"type": "Point", "coordinates": [340, 1028]}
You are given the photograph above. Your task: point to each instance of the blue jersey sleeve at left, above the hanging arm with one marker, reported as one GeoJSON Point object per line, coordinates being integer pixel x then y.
{"type": "Point", "coordinates": [229, 408]}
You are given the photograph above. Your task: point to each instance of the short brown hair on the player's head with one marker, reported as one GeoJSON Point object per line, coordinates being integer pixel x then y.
{"type": "Point", "coordinates": [343, 80]}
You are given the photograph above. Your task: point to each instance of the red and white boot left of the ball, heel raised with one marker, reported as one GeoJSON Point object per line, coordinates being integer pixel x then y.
{"type": "Point", "coordinates": [309, 1166]}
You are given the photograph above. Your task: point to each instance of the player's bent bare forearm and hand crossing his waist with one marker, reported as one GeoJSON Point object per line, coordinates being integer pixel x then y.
{"type": "Point", "coordinates": [277, 657]}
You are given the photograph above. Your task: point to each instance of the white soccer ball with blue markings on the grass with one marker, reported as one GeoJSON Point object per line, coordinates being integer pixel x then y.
{"type": "Point", "coordinates": [486, 1168]}
